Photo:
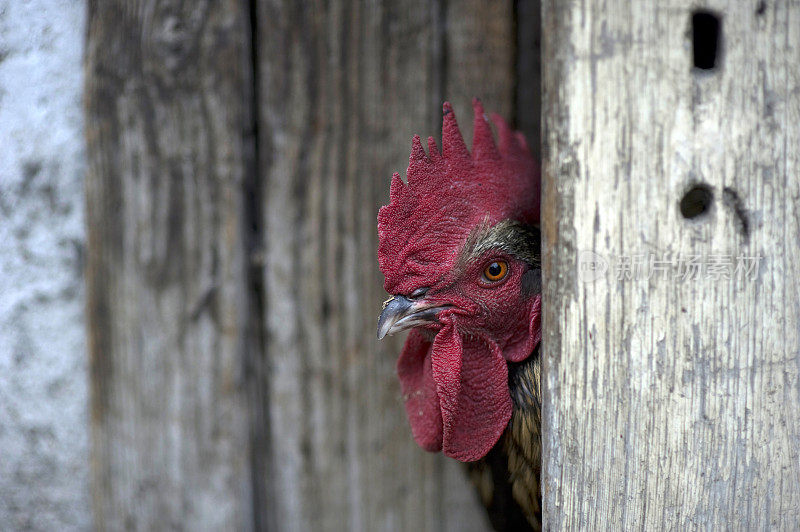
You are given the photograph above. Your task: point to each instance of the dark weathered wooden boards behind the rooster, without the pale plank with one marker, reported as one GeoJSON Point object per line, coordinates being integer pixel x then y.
{"type": "Point", "coordinates": [239, 152]}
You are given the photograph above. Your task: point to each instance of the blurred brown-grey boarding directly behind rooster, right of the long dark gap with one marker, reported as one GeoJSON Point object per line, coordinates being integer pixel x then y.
{"type": "Point", "coordinates": [342, 88]}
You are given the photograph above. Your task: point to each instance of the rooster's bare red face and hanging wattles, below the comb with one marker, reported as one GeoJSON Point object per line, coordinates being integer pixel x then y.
{"type": "Point", "coordinates": [456, 386]}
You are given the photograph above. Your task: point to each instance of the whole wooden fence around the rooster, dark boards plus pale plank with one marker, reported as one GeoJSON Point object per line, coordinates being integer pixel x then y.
{"type": "Point", "coordinates": [238, 153]}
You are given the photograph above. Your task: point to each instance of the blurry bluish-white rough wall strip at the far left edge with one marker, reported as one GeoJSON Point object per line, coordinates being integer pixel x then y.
{"type": "Point", "coordinates": [44, 480]}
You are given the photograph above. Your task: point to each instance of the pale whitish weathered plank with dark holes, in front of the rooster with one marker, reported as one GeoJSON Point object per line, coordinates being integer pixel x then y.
{"type": "Point", "coordinates": [671, 403]}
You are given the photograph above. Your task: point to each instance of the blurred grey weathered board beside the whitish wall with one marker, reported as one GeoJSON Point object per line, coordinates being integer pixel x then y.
{"type": "Point", "coordinates": [168, 93]}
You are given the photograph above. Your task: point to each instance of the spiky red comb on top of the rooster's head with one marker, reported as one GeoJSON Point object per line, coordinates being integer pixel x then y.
{"type": "Point", "coordinates": [451, 192]}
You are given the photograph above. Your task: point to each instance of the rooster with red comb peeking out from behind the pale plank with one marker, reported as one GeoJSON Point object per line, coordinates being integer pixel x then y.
{"type": "Point", "coordinates": [461, 257]}
